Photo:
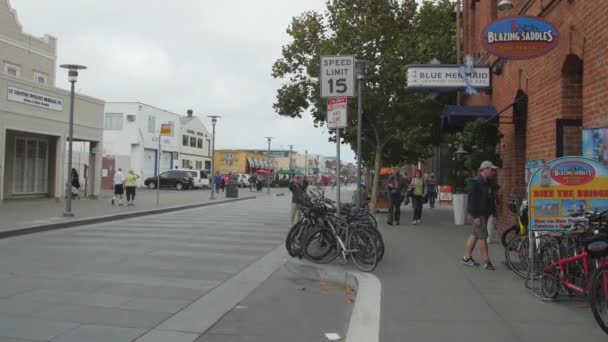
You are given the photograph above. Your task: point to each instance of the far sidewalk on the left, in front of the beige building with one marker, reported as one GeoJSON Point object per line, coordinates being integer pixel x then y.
{"type": "Point", "coordinates": [18, 215]}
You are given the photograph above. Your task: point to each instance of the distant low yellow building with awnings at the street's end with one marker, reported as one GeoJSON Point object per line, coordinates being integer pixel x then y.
{"type": "Point", "coordinates": [241, 161]}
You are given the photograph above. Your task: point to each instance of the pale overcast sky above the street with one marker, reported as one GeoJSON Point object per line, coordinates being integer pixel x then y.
{"type": "Point", "coordinates": [214, 57]}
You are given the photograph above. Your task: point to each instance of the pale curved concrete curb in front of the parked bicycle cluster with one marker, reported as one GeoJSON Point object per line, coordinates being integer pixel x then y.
{"type": "Point", "coordinates": [364, 325]}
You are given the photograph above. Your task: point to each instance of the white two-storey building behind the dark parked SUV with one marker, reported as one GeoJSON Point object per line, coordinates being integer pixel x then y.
{"type": "Point", "coordinates": [131, 141]}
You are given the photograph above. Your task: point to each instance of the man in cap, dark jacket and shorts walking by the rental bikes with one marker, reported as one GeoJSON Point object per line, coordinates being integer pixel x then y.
{"type": "Point", "coordinates": [481, 205]}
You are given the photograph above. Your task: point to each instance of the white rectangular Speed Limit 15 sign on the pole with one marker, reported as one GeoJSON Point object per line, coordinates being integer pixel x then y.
{"type": "Point", "coordinates": [337, 76]}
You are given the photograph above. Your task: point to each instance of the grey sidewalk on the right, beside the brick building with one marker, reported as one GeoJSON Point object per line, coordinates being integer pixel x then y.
{"type": "Point", "coordinates": [428, 295]}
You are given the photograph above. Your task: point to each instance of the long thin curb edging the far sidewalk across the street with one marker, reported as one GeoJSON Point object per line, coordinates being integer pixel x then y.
{"type": "Point", "coordinates": [107, 218]}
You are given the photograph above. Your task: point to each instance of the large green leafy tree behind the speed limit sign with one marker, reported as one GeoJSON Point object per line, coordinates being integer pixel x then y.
{"type": "Point", "coordinates": [398, 126]}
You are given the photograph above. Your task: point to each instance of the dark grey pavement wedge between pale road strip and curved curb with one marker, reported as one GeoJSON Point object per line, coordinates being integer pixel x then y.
{"type": "Point", "coordinates": [286, 308]}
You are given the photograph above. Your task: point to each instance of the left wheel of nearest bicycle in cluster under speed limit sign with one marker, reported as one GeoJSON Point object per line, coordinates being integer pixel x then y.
{"type": "Point", "coordinates": [320, 246]}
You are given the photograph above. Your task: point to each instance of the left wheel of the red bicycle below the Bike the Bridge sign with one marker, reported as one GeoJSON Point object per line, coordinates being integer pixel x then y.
{"type": "Point", "coordinates": [550, 278]}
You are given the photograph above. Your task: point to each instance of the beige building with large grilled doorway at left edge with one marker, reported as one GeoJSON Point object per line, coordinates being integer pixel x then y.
{"type": "Point", "coordinates": [34, 117]}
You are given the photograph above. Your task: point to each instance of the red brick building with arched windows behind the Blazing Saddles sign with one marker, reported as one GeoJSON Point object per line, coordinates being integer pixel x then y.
{"type": "Point", "coordinates": [555, 95]}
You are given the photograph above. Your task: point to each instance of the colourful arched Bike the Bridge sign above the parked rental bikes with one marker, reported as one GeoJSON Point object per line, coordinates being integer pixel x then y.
{"type": "Point", "coordinates": [565, 187]}
